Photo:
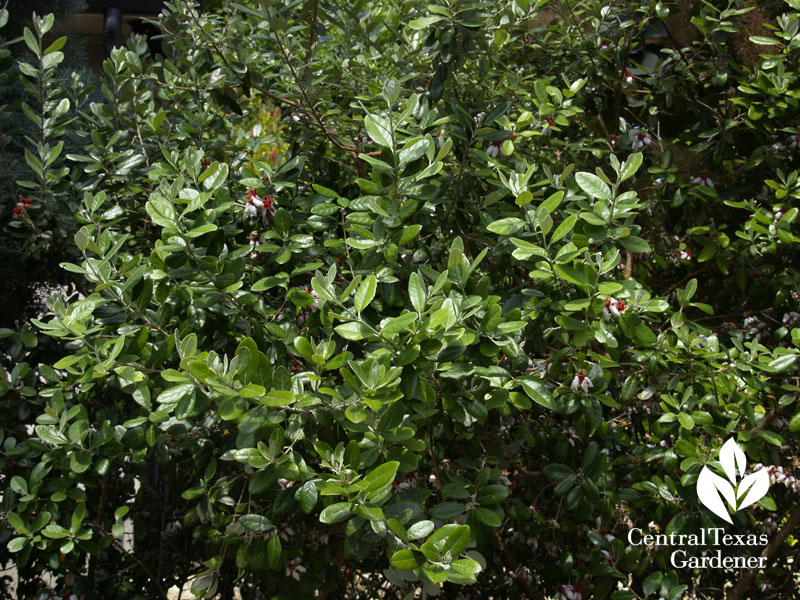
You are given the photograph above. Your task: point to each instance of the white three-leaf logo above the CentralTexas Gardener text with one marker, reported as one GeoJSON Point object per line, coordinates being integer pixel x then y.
{"type": "Point", "coordinates": [712, 489]}
